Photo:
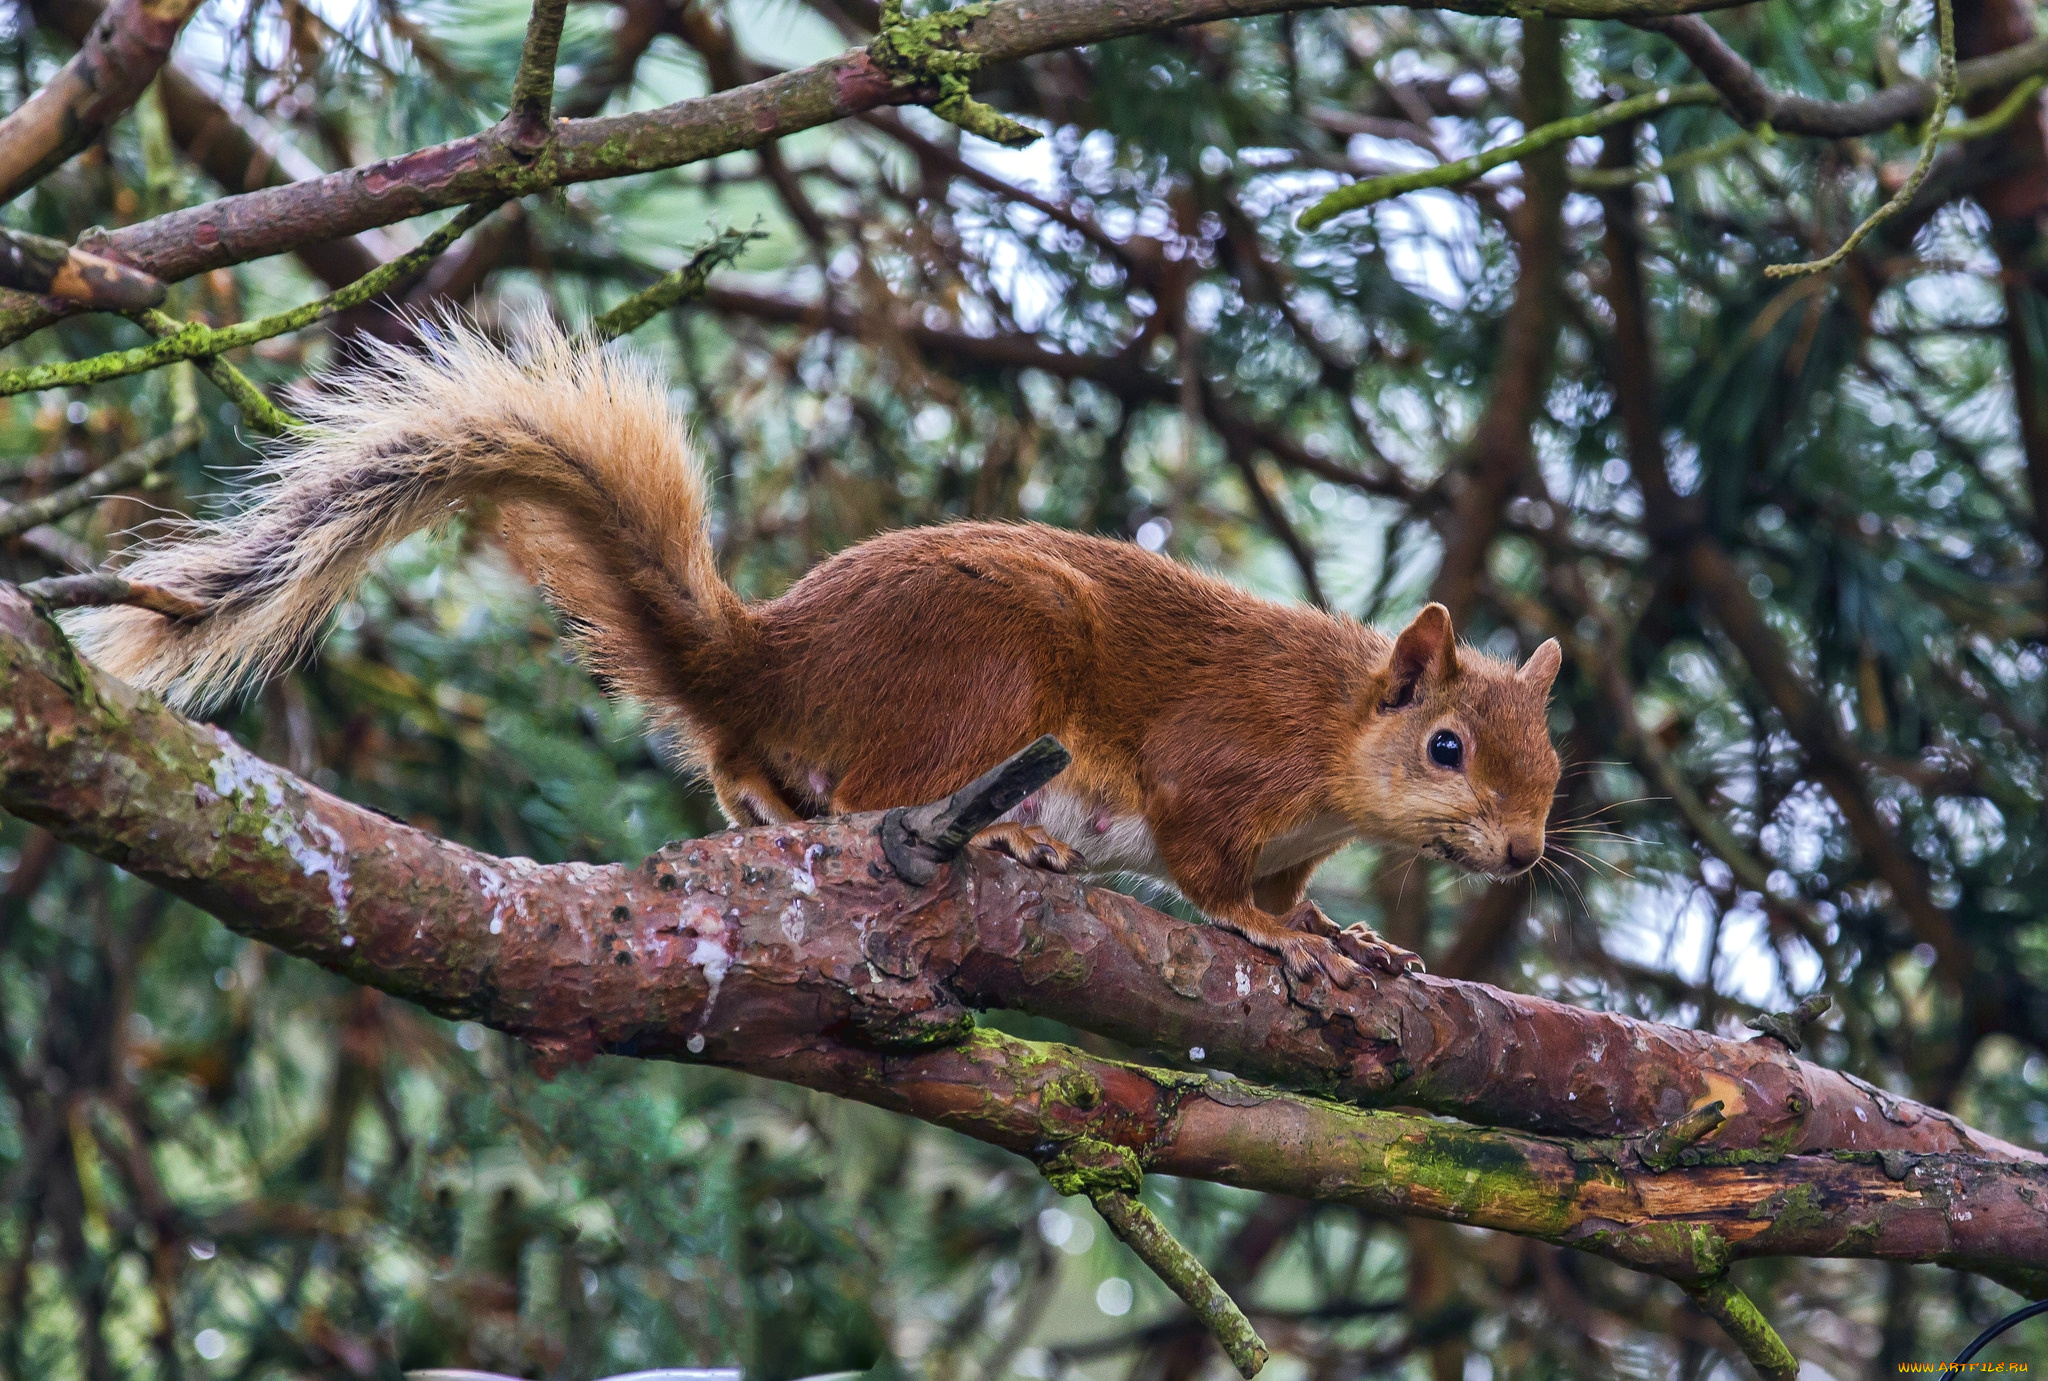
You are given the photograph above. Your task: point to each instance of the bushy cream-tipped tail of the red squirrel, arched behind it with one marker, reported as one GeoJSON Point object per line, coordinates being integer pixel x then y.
{"type": "Point", "coordinates": [593, 470]}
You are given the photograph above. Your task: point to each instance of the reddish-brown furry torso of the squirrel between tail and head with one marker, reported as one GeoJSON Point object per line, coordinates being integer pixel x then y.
{"type": "Point", "coordinates": [902, 667]}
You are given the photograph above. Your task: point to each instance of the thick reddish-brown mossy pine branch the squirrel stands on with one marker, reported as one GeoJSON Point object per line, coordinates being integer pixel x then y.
{"type": "Point", "coordinates": [798, 954]}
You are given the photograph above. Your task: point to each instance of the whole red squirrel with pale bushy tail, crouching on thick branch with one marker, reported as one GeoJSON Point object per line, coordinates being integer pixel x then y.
{"type": "Point", "coordinates": [1222, 743]}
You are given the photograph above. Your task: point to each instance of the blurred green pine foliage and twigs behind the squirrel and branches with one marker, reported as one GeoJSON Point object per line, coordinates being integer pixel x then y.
{"type": "Point", "coordinates": [218, 1163]}
